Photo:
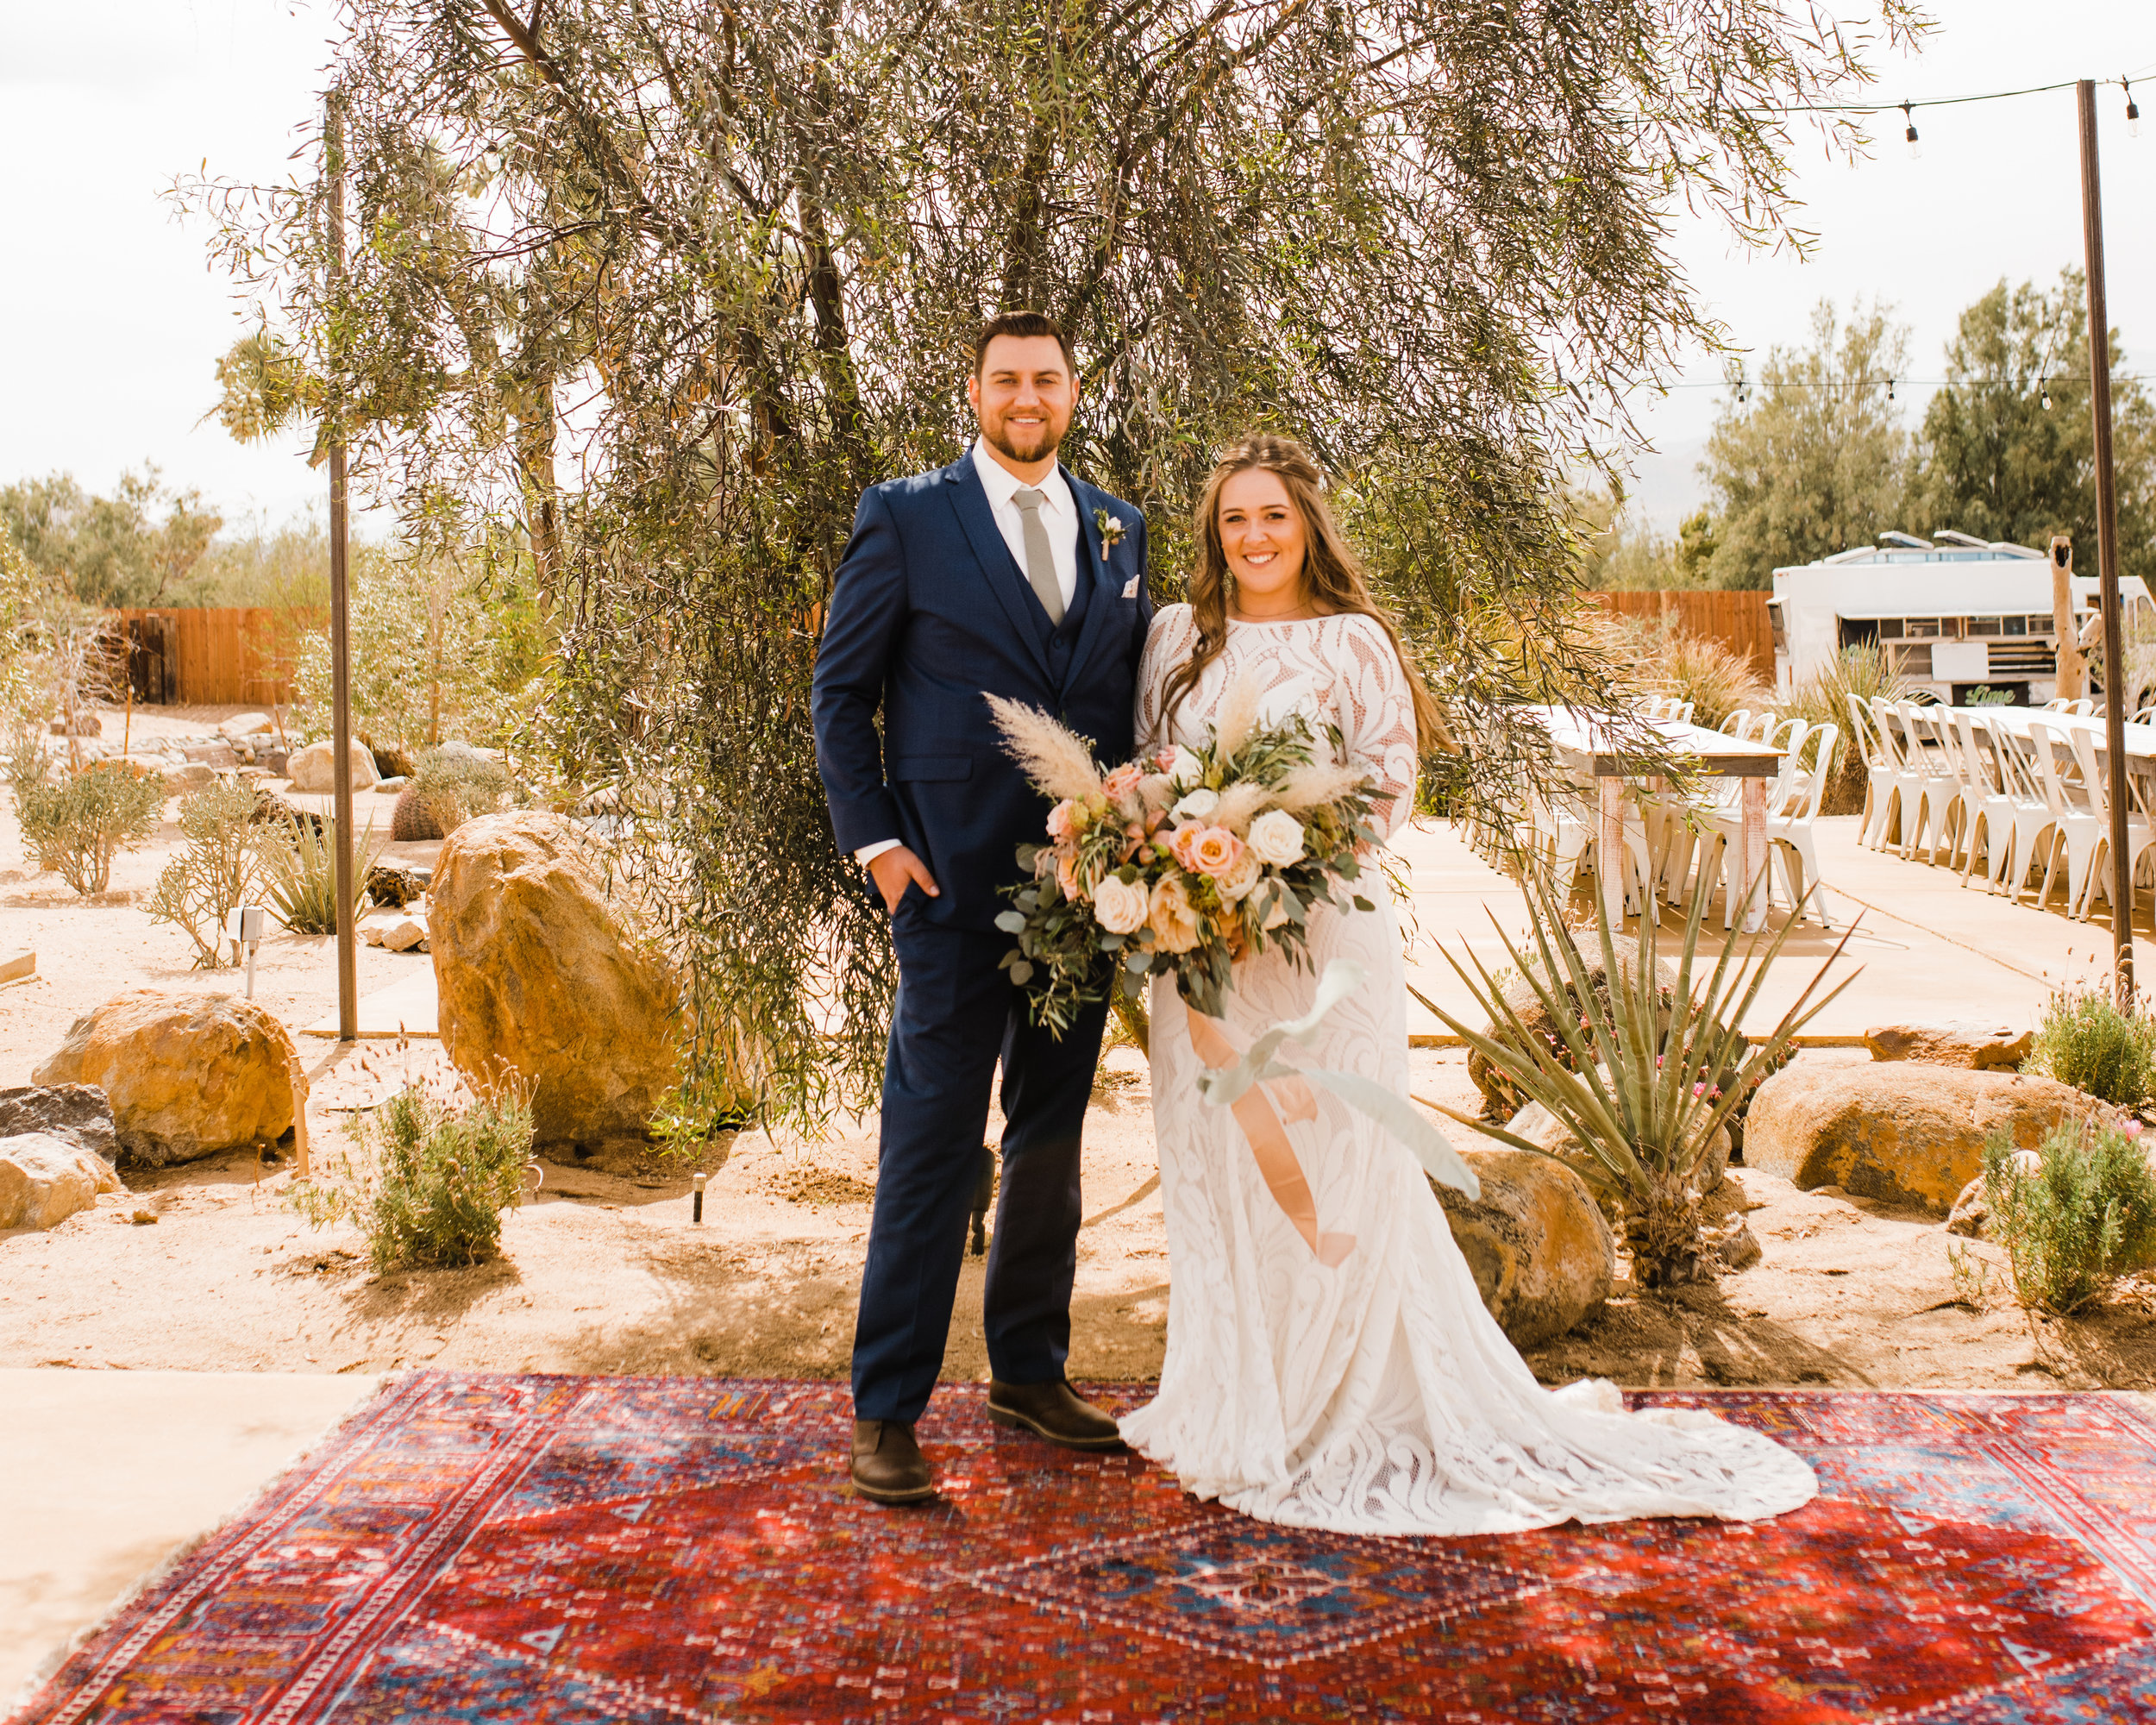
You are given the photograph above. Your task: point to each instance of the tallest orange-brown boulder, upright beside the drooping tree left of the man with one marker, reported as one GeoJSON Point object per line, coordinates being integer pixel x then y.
{"type": "Point", "coordinates": [542, 974]}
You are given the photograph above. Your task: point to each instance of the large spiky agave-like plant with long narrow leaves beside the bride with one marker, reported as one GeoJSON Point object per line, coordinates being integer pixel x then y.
{"type": "Point", "coordinates": [1640, 1073]}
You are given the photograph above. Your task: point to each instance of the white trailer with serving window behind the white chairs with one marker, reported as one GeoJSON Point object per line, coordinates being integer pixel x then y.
{"type": "Point", "coordinates": [1954, 613]}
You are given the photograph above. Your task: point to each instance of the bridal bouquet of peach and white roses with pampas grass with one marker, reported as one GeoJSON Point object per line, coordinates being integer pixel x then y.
{"type": "Point", "coordinates": [1178, 864]}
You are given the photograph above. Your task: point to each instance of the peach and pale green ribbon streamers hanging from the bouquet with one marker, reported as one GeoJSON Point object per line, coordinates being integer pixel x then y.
{"type": "Point", "coordinates": [1232, 1086]}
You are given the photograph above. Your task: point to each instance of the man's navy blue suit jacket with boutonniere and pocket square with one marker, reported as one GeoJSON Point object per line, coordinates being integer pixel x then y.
{"type": "Point", "coordinates": [928, 616]}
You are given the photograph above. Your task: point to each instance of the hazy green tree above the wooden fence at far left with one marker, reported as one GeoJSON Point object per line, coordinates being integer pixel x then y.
{"type": "Point", "coordinates": [139, 547]}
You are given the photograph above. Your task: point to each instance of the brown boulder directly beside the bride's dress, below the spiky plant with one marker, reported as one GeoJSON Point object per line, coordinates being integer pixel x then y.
{"type": "Point", "coordinates": [1538, 1245]}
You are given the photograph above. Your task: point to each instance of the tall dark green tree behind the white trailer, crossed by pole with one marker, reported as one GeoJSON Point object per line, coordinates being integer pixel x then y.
{"type": "Point", "coordinates": [2000, 465]}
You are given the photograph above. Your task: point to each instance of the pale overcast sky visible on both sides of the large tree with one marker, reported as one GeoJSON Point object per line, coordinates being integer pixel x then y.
{"type": "Point", "coordinates": [115, 322]}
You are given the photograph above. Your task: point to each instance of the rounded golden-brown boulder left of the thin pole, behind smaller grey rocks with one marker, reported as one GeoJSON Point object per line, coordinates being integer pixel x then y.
{"type": "Point", "coordinates": [189, 1075]}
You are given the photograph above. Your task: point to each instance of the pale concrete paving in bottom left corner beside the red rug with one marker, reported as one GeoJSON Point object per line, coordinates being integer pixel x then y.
{"type": "Point", "coordinates": [107, 1476]}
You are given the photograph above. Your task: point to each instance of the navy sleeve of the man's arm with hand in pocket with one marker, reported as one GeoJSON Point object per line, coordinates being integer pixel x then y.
{"type": "Point", "coordinates": [861, 631]}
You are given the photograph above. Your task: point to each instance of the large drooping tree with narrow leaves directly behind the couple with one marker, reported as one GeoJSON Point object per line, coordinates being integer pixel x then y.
{"type": "Point", "coordinates": [672, 284]}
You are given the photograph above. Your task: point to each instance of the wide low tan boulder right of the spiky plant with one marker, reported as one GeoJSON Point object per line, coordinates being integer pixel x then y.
{"type": "Point", "coordinates": [1901, 1133]}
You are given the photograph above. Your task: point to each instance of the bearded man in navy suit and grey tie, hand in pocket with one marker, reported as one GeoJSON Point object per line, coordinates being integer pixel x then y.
{"type": "Point", "coordinates": [1001, 575]}
